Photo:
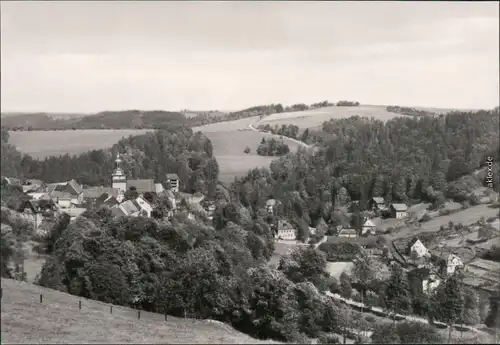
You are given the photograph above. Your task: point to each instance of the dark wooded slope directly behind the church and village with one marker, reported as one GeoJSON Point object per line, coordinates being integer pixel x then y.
{"type": "Point", "coordinates": [173, 150]}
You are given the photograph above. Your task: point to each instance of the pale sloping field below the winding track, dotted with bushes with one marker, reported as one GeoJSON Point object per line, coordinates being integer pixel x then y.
{"type": "Point", "coordinates": [229, 140]}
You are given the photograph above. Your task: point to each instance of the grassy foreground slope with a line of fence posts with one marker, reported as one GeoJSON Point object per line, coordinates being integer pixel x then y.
{"type": "Point", "coordinates": [58, 320]}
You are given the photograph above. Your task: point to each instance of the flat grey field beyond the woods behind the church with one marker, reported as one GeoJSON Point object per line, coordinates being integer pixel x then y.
{"type": "Point", "coordinates": [41, 144]}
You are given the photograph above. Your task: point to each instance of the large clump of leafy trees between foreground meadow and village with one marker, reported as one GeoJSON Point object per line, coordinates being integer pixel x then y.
{"type": "Point", "coordinates": [188, 268]}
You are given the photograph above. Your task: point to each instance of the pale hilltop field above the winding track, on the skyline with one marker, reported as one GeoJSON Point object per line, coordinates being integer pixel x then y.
{"type": "Point", "coordinates": [314, 118]}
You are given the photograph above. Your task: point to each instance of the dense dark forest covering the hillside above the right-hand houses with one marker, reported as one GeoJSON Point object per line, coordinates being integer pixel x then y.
{"type": "Point", "coordinates": [406, 160]}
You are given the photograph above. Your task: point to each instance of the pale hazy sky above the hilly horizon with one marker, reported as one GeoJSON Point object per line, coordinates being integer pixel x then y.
{"type": "Point", "coordinates": [85, 57]}
